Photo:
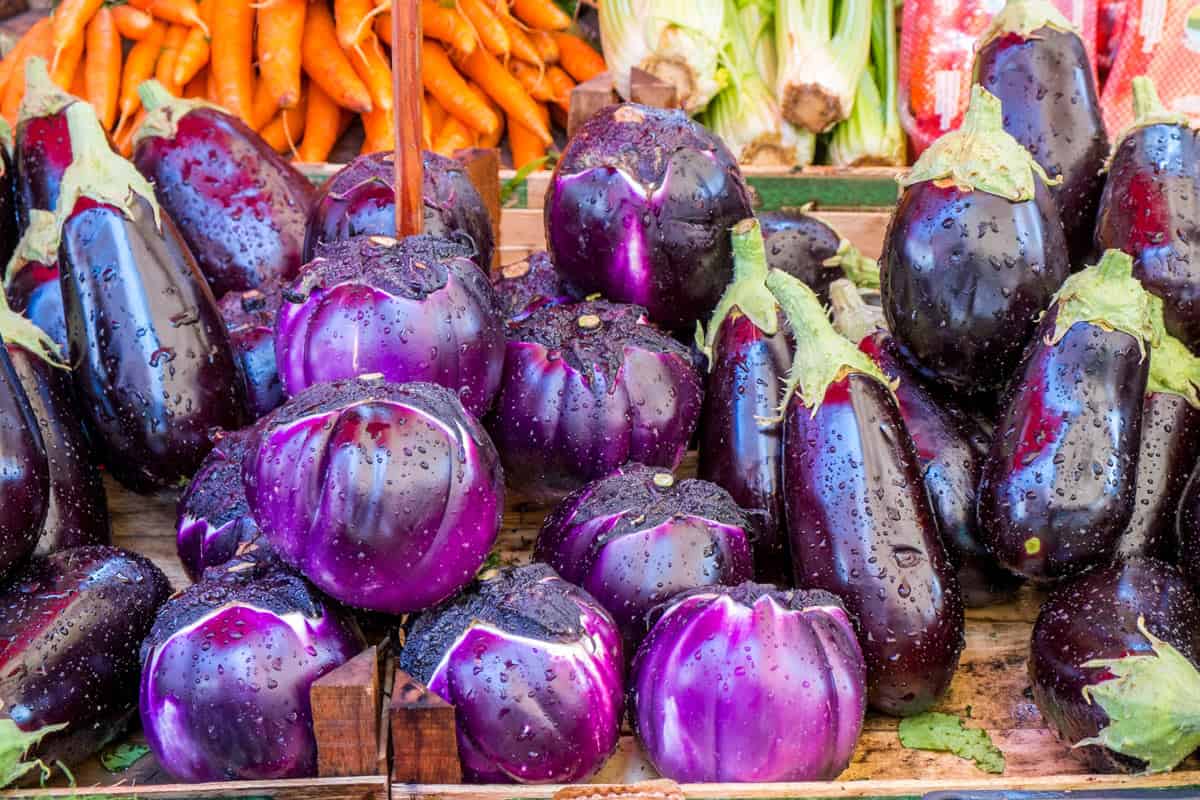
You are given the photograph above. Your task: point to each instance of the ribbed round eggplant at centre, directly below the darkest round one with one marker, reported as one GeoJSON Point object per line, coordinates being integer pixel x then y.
{"type": "Point", "coordinates": [586, 389]}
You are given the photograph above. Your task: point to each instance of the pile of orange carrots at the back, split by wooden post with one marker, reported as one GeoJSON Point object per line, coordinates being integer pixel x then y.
{"type": "Point", "coordinates": [301, 71]}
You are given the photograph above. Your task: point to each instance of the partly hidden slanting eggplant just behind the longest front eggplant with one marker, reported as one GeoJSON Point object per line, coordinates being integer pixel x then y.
{"type": "Point", "coordinates": [950, 446]}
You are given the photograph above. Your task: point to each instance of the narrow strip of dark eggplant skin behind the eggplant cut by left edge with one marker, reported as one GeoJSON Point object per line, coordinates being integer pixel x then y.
{"type": "Point", "coordinates": [77, 508]}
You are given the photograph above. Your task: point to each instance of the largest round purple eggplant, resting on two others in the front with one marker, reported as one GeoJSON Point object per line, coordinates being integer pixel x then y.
{"type": "Point", "coordinates": [387, 497]}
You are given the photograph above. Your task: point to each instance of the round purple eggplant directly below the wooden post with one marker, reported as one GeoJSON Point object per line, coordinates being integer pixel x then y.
{"type": "Point", "coordinates": [412, 310]}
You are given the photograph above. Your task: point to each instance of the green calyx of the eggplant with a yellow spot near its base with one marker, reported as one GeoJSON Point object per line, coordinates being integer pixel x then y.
{"type": "Point", "coordinates": [1109, 297]}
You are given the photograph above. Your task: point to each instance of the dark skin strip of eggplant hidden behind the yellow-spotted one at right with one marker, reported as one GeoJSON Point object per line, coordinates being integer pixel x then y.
{"type": "Point", "coordinates": [1171, 442]}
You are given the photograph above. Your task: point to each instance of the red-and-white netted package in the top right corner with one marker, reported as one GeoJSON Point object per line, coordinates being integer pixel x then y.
{"type": "Point", "coordinates": [1157, 43]}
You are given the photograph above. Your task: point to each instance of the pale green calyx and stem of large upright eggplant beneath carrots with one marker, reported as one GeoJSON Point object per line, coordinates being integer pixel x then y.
{"type": "Point", "coordinates": [99, 173]}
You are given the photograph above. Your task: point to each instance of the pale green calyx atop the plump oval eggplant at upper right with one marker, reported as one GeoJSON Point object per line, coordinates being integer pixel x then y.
{"type": "Point", "coordinates": [981, 157]}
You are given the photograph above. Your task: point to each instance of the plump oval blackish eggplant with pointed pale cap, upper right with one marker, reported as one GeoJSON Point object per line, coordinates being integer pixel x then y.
{"type": "Point", "coordinates": [974, 254]}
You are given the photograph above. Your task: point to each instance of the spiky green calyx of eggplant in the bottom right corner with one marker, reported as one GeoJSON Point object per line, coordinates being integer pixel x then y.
{"type": "Point", "coordinates": [1153, 706]}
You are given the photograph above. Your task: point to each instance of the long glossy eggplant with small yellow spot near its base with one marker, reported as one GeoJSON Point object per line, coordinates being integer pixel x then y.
{"type": "Point", "coordinates": [1059, 483]}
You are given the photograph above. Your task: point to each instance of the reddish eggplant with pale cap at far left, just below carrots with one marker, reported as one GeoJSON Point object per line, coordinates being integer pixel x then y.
{"type": "Point", "coordinates": [44, 149]}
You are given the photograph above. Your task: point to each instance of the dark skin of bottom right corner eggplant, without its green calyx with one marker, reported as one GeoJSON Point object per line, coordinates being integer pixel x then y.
{"type": "Point", "coordinates": [1095, 617]}
